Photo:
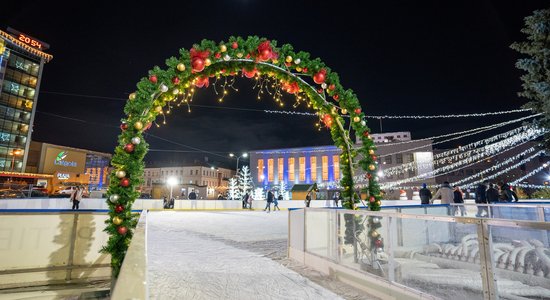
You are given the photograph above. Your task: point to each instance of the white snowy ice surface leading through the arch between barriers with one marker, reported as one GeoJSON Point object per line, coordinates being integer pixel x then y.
{"type": "Point", "coordinates": [223, 255]}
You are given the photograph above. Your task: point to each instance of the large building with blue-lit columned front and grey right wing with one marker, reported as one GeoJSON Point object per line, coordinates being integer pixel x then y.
{"type": "Point", "coordinates": [321, 164]}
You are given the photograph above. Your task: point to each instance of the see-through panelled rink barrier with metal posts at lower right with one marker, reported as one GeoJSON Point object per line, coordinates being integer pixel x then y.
{"type": "Point", "coordinates": [421, 255]}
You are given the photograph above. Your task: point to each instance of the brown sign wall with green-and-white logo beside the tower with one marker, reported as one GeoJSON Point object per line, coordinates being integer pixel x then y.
{"type": "Point", "coordinates": [63, 160]}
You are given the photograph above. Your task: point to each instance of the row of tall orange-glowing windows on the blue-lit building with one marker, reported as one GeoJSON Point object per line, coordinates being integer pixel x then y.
{"type": "Point", "coordinates": [302, 170]}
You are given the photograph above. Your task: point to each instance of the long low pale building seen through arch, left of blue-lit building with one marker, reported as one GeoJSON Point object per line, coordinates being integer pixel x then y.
{"type": "Point", "coordinates": [206, 181]}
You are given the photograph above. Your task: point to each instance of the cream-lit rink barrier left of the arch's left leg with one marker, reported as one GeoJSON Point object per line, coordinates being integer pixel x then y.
{"type": "Point", "coordinates": [48, 248]}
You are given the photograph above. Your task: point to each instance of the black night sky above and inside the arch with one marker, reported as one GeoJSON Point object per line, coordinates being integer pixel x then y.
{"type": "Point", "coordinates": [400, 57]}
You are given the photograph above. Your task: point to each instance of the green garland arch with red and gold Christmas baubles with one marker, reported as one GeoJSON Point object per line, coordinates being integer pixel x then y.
{"type": "Point", "coordinates": [281, 70]}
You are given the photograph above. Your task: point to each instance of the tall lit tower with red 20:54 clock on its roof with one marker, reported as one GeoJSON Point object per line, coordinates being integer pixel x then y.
{"type": "Point", "coordinates": [21, 63]}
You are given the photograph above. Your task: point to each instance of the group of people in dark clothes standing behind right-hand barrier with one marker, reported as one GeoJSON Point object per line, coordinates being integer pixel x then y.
{"type": "Point", "coordinates": [486, 192]}
